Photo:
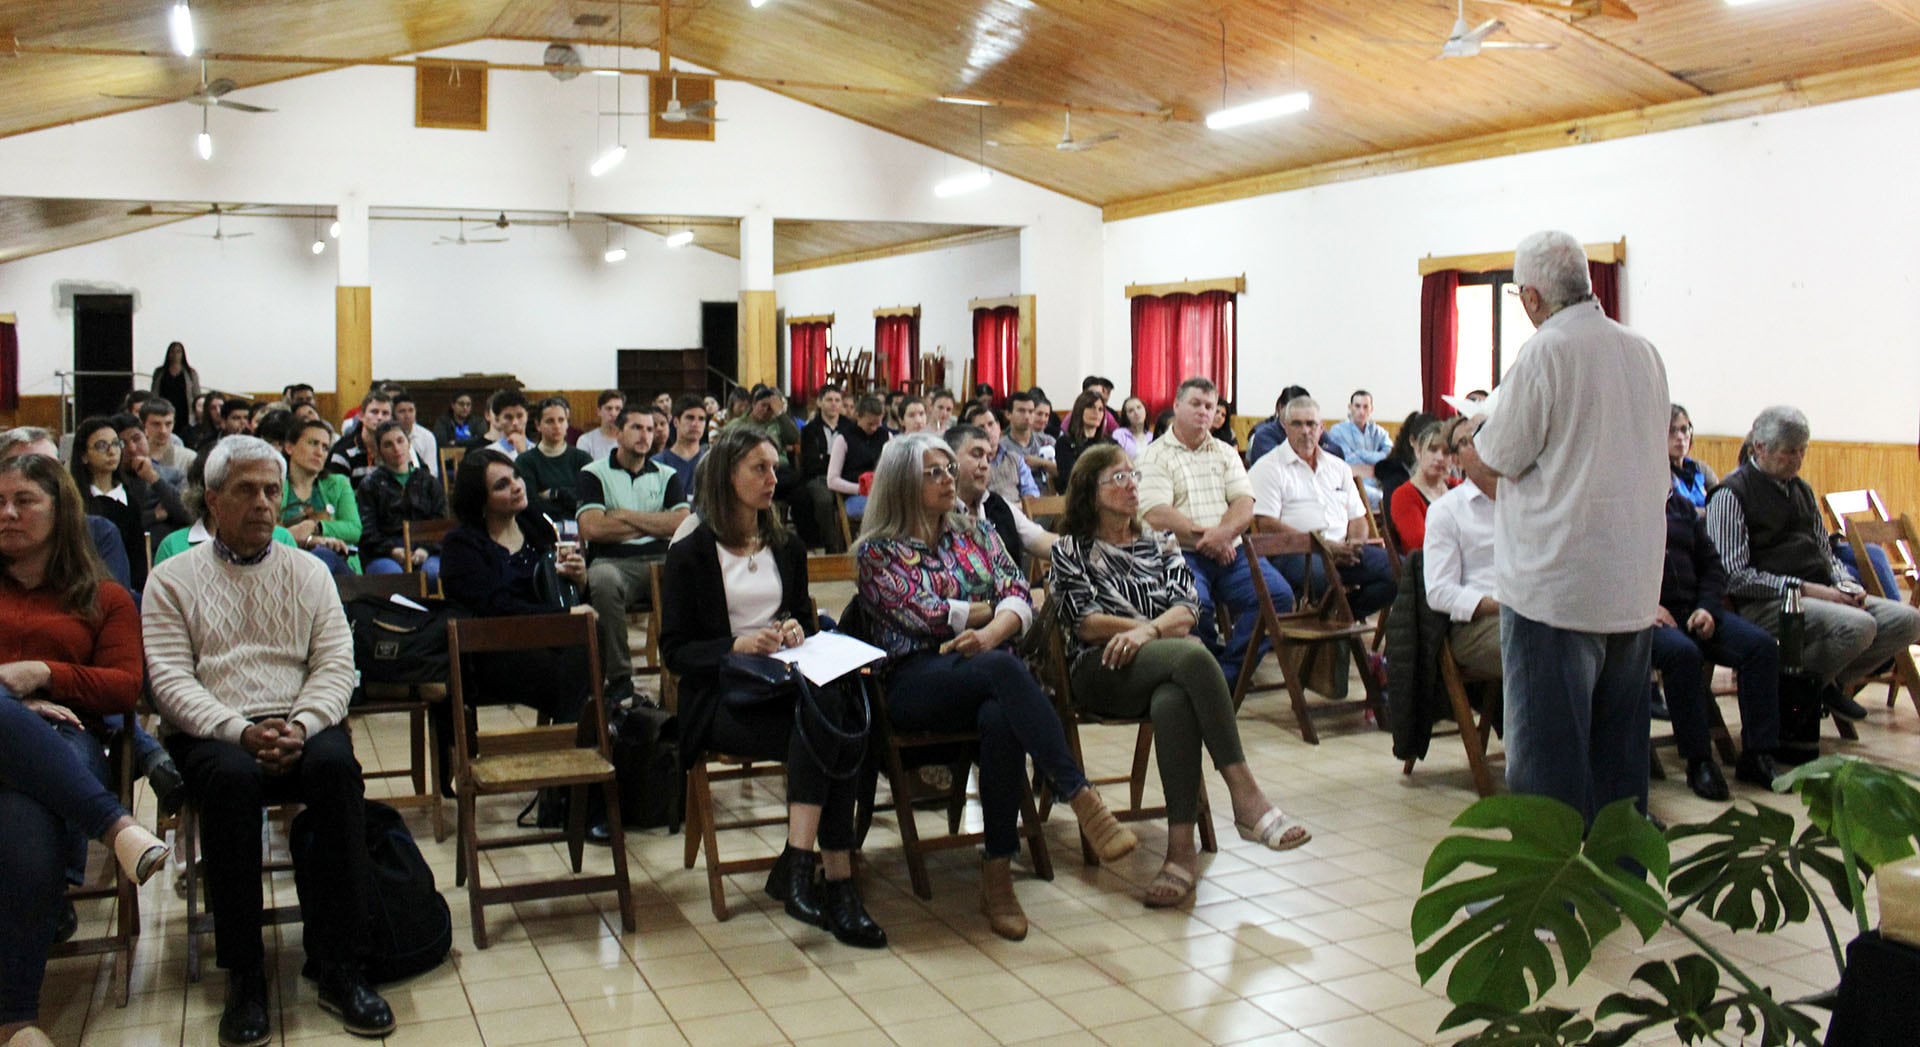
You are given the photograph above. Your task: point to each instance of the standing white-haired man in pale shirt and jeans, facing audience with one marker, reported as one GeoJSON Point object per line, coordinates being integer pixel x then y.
{"type": "Point", "coordinates": [1579, 447]}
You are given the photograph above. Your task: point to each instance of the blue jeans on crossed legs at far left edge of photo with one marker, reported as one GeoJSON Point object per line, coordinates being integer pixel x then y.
{"type": "Point", "coordinates": [51, 794]}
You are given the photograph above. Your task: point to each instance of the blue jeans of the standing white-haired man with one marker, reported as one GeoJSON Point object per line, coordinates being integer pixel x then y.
{"type": "Point", "coordinates": [1575, 712]}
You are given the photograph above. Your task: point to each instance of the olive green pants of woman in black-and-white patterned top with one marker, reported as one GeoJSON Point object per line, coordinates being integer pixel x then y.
{"type": "Point", "coordinates": [1180, 687]}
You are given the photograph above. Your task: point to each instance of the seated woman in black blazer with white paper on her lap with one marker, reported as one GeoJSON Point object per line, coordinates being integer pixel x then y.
{"type": "Point", "coordinates": [740, 583]}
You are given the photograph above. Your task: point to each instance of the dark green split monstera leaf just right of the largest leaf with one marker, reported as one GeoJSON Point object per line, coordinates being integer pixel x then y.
{"type": "Point", "coordinates": [1744, 875]}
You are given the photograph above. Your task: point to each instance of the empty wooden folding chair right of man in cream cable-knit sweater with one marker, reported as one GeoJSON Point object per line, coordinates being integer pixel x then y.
{"type": "Point", "coordinates": [525, 760]}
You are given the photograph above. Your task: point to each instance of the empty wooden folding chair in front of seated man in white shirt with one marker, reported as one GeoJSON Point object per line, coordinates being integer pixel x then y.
{"type": "Point", "coordinates": [1316, 623]}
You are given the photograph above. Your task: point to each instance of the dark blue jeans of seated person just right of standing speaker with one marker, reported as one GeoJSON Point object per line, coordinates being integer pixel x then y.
{"type": "Point", "coordinates": [1756, 658]}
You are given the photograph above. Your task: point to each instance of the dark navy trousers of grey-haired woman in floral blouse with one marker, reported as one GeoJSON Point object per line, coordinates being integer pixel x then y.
{"type": "Point", "coordinates": [994, 694]}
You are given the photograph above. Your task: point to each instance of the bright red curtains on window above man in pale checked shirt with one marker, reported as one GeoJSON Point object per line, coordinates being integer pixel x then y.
{"type": "Point", "coordinates": [1178, 337]}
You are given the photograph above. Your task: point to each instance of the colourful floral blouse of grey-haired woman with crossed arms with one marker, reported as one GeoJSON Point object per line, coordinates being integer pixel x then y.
{"type": "Point", "coordinates": [919, 595]}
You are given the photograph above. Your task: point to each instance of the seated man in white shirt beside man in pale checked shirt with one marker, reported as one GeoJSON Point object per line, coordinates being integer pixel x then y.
{"type": "Point", "coordinates": [1301, 489]}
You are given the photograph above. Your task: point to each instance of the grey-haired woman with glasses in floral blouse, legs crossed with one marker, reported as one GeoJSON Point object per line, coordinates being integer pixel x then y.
{"type": "Point", "coordinates": [944, 598]}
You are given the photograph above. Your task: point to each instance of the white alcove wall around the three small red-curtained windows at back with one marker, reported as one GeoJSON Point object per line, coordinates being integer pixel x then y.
{"type": "Point", "coordinates": [940, 283]}
